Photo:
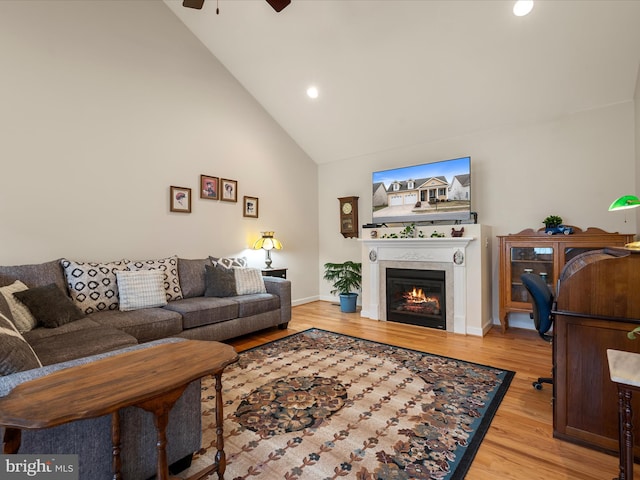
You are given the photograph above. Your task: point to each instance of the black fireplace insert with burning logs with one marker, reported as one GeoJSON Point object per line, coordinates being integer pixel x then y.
{"type": "Point", "coordinates": [417, 297]}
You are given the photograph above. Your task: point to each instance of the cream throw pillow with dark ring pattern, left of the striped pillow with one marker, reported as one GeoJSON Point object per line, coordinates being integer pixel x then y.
{"type": "Point", "coordinates": [93, 286]}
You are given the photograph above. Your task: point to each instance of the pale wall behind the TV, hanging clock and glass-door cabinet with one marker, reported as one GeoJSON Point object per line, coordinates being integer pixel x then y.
{"type": "Point", "coordinates": [573, 167]}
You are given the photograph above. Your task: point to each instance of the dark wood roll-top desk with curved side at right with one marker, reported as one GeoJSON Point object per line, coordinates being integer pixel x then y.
{"type": "Point", "coordinates": [597, 304]}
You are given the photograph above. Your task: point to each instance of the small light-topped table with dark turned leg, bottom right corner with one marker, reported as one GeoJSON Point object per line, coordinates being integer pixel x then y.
{"type": "Point", "coordinates": [624, 370]}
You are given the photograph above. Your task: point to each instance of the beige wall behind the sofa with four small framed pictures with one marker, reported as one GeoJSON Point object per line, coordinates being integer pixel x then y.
{"type": "Point", "coordinates": [107, 104]}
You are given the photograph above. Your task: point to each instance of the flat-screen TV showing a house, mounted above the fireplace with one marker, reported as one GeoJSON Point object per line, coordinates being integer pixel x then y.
{"type": "Point", "coordinates": [438, 191]}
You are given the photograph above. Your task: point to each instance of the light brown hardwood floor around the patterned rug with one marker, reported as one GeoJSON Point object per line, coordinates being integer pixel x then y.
{"type": "Point", "coordinates": [519, 443]}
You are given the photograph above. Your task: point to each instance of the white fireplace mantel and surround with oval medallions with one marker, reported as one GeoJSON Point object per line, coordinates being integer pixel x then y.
{"type": "Point", "coordinates": [460, 257]}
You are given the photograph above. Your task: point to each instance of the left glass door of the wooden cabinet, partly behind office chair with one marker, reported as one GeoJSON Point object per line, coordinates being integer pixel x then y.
{"type": "Point", "coordinates": [538, 260]}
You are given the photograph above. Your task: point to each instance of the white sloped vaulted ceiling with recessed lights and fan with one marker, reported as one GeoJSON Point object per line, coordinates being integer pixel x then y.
{"type": "Point", "coordinates": [396, 73]}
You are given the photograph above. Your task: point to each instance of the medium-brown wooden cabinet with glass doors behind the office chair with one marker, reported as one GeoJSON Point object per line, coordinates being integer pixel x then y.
{"type": "Point", "coordinates": [544, 254]}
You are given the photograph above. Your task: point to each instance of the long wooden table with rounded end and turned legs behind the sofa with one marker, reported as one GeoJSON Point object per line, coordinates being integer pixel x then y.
{"type": "Point", "coordinates": [152, 379]}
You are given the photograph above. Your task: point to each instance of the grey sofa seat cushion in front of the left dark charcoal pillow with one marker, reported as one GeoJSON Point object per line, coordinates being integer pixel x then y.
{"type": "Point", "coordinates": [81, 343]}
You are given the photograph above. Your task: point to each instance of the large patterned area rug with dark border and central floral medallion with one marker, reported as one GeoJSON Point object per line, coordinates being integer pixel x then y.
{"type": "Point", "coordinates": [319, 405]}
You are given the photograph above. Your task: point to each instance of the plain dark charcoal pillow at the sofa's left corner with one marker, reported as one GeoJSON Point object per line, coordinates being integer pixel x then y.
{"type": "Point", "coordinates": [49, 305]}
